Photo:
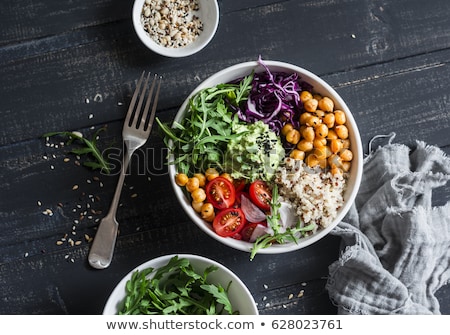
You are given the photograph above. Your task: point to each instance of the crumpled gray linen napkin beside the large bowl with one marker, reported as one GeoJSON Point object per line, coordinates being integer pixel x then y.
{"type": "Point", "coordinates": [396, 245]}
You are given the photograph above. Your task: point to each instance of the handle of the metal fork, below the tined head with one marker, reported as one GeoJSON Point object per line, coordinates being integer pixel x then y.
{"type": "Point", "coordinates": [102, 248]}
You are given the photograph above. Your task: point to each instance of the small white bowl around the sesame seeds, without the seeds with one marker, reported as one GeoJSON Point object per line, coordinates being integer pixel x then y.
{"type": "Point", "coordinates": [208, 13]}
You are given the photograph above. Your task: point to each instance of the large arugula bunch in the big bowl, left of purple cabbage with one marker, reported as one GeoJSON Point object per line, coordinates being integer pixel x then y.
{"type": "Point", "coordinates": [200, 140]}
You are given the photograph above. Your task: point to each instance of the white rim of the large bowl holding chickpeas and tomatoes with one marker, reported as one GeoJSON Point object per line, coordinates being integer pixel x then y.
{"type": "Point", "coordinates": [319, 86]}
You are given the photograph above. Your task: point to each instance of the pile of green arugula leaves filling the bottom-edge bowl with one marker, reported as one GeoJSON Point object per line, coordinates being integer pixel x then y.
{"type": "Point", "coordinates": [175, 289]}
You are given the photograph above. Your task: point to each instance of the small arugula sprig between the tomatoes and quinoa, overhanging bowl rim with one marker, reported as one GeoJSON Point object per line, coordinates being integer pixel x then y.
{"type": "Point", "coordinates": [291, 234]}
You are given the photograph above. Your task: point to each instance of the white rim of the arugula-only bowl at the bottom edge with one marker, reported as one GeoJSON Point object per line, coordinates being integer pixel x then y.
{"type": "Point", "coordinates": [118, 293]}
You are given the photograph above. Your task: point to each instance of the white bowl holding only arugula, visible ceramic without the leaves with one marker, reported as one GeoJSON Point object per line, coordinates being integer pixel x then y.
{"type": "Point", "coordinates": [239, 295]}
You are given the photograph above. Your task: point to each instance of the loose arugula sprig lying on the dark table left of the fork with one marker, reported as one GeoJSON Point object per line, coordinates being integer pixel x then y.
{"type": "Point", "coordinates": [89, 148]}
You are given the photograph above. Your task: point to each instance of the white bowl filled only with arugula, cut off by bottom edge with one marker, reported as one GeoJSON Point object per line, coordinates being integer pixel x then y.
{"type": "Point", "coordinates": [180, 284]}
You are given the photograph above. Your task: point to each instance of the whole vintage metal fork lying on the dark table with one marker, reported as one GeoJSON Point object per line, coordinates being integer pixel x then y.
{"type": "Point", "coordinates": [136, 130]}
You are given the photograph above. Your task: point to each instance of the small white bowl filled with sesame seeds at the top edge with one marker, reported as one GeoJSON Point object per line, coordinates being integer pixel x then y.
{"type": "Point", "coordinates": [175, 28]}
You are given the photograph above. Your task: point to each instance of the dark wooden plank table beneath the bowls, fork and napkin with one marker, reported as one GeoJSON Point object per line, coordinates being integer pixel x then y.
{"type": "Point", "coordinates": [72, 65]}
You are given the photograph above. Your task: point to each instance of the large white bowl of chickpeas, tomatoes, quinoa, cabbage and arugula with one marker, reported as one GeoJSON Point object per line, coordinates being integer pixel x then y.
{"type": "Point", "coordinates": [264, 157]}
